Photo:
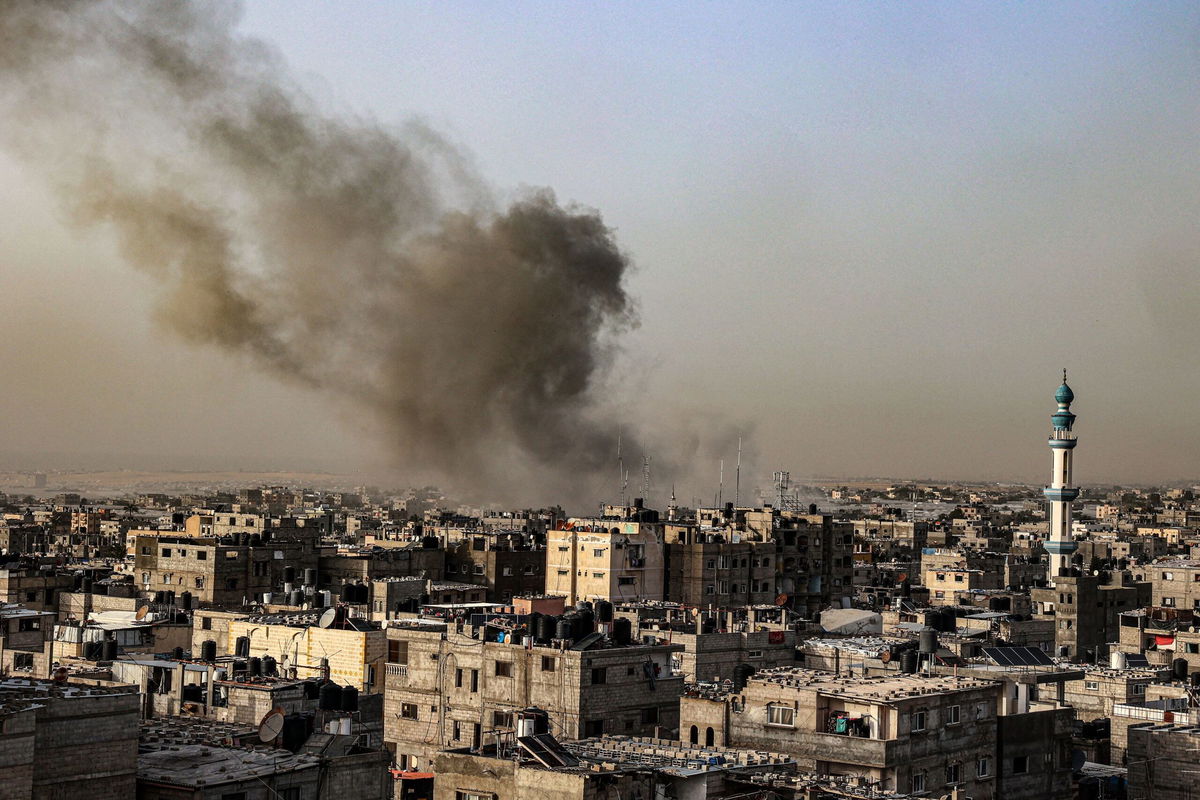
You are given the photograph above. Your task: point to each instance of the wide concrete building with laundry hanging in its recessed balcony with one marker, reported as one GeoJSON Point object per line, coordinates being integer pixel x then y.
{"type": "Point", "coordinates": [904, 733]}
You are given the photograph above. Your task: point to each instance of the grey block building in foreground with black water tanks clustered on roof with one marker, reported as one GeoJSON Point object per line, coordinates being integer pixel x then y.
{"type": "Point", "coordinates": [453, 688]}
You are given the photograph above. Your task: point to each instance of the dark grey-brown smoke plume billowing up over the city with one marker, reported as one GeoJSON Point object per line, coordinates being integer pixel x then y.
{"type": "Point", "coordinates": [334, 252]}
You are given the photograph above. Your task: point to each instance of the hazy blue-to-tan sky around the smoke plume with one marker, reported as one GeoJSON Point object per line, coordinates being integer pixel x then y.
{"type": "Point", "coordinates": [868, 237]}
